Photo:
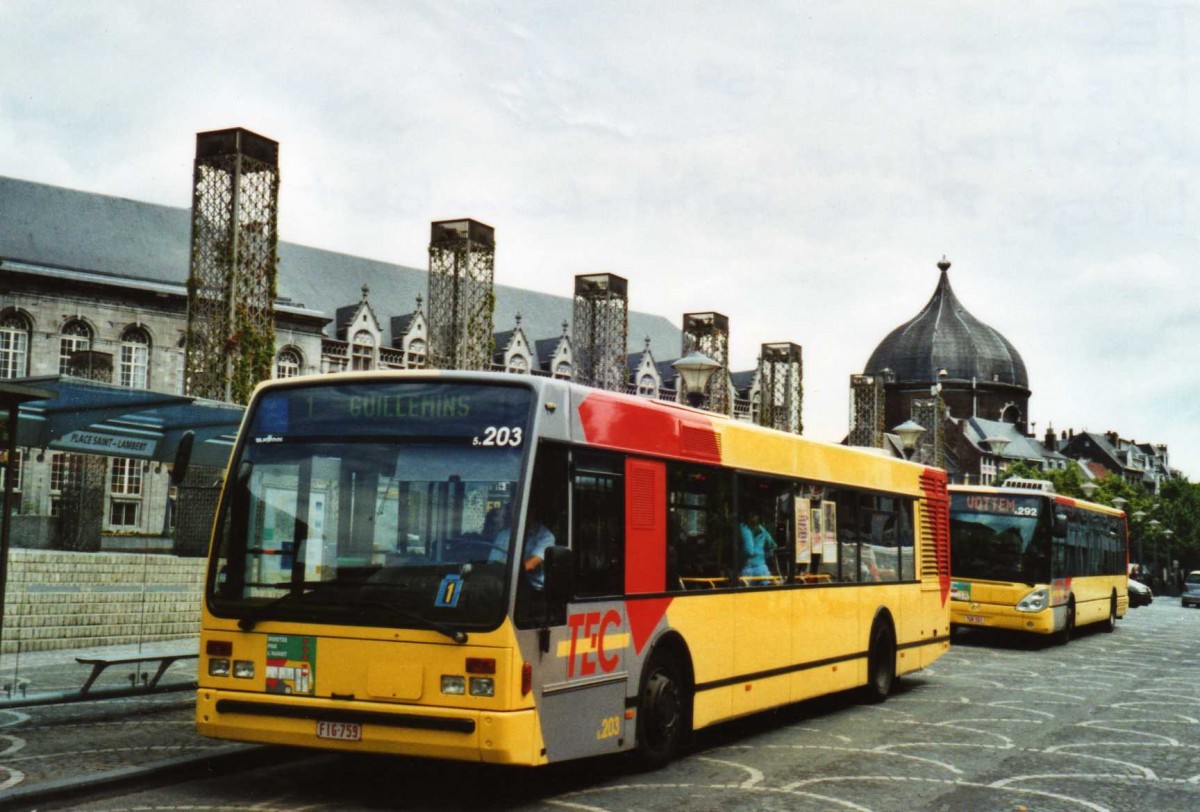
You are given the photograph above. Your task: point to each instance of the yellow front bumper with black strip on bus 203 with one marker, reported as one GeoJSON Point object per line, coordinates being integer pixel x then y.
{"type": "Point", "coordinates": [471, 736]}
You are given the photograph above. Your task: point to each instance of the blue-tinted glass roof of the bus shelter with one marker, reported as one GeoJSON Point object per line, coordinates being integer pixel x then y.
{"type": "Point", "coordinates": [87, 417]}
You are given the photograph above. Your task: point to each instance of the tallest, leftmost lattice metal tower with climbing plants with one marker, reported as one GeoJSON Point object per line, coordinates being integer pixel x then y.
{"type": "Point", "coordinates": [231, 287]}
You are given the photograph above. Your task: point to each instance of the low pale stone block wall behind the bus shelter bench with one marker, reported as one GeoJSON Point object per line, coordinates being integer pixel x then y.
{"type": "Point", "coordinates": [61, 600]}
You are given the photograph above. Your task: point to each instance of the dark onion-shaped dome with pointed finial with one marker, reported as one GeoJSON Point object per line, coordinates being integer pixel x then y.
{"type": "Point", "coordinates": [946, 342]}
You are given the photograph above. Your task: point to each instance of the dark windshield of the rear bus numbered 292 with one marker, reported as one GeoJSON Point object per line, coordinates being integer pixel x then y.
{"type": "Point", "coordinates": [999, 538]}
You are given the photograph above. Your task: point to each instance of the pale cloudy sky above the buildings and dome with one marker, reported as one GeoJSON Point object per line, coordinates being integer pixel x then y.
{"type": "Point", "coordinates": [800, 167]}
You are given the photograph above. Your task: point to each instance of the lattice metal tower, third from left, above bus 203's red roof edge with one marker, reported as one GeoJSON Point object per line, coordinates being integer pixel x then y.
{"type": "Point", "coordinates": [602, 330]}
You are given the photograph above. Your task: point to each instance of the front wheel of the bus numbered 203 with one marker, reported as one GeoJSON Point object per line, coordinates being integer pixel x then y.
{"type": "Point", "coordinates": [664, 719]}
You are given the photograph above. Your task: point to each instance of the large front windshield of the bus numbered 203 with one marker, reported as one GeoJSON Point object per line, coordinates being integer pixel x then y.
{"type": "Point", "coordinates": [374, 504]}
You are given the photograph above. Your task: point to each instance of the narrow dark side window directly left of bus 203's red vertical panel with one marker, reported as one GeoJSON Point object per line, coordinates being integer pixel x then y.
{"type": "Point", "coordinates": [598, 524]}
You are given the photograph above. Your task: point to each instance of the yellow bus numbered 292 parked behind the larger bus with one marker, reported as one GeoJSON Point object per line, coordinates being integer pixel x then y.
{"type": "Point", "coordinates": [1028, 560]}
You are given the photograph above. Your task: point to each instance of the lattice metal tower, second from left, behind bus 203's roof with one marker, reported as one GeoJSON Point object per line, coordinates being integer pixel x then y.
{"type": "Point", "coordinates": [463, 300]}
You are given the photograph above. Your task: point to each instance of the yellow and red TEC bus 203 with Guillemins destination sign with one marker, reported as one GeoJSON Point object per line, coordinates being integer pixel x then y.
{"type": "Point", "coordinates": [677, 569]}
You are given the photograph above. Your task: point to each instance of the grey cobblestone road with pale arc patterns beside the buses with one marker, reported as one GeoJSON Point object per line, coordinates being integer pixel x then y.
{"type": "Point", "coordinates": [1108, 723]}
